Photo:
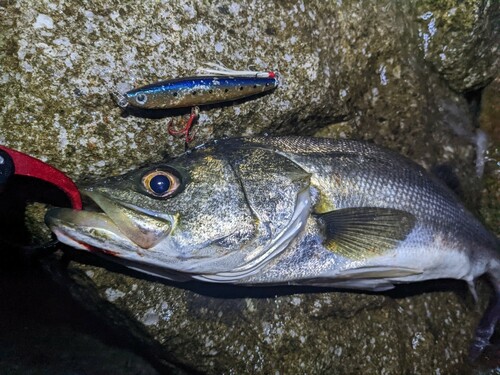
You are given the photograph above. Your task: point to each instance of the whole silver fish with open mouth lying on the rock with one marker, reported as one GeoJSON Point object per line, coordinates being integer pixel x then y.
{"type": "Point", "coordinates": [287, 211]}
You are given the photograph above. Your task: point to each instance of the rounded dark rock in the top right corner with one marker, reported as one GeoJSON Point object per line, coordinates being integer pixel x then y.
{"type": "Point", "coordinates": [461, 40]}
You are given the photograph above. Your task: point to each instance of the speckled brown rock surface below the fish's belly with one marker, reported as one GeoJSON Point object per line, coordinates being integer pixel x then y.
{"type": "Point", "coordinates": [229, 330]}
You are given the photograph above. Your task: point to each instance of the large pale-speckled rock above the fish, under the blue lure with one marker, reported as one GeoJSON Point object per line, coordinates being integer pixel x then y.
{"type": "Point", "coordinates": [349, 61]}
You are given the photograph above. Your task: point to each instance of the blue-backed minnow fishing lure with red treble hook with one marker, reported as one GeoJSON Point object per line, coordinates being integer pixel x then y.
{"type": "Point", "coordinates": [216, 84]}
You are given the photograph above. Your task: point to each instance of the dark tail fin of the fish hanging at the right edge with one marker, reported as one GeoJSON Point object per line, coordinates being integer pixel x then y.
{"type": "Point", "coordinates": [489, 320]}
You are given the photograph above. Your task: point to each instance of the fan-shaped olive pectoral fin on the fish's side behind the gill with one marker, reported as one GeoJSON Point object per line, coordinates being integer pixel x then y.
{"type": "Point", "coordinates": [361, 233]}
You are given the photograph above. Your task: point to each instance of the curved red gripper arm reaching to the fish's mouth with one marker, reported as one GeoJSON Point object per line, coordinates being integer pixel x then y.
{"type": "Point", "coordinates": [25, 165]}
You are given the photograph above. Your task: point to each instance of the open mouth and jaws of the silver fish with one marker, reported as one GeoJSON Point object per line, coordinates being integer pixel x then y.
{"type": "Point", "coordinates": [109, 224]}
